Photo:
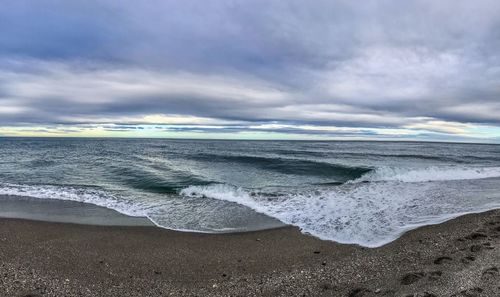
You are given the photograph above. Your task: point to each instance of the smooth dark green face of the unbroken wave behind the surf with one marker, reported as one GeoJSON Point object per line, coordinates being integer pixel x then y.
{"type": "Point", "coordinates": [337, 172]}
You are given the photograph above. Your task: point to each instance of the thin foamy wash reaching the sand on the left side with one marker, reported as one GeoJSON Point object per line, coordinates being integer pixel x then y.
{"type": "Point", "coordinates": [165, 211]}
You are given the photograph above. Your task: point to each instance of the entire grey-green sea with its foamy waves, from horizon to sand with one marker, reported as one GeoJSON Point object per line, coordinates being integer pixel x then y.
{"type": "Point", "coordinates": [366, 193]}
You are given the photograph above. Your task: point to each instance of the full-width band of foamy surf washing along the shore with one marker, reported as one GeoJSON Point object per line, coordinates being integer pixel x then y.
{"type": "Point", "coordinates": [368, 214]}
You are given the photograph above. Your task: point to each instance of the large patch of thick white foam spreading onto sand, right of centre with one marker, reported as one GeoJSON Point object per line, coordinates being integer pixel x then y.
{"type": "Point", "coordinates": [366, 214]}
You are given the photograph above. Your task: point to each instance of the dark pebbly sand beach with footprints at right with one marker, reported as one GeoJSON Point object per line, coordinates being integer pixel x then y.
{"type": "Point", "coordinates": [458, 258]}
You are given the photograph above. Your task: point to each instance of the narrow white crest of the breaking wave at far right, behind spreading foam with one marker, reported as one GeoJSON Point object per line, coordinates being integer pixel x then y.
{"type": "Point", "coordinates": [434, 173]}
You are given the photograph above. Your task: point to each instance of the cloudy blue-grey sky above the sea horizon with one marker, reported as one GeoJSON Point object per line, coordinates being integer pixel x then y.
{"type": "Point", "coordinates": [251, 69]}
